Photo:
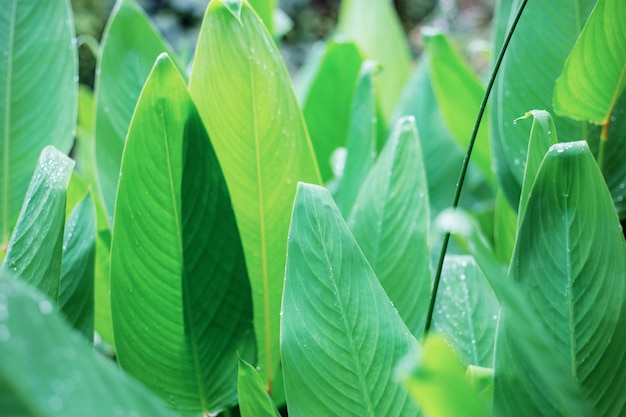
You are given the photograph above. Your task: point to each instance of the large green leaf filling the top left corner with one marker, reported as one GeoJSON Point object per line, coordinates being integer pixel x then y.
{"type": "Point", "coordinates": [38, 90]}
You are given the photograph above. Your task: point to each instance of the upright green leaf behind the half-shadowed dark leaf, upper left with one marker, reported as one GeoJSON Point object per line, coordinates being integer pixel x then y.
{"type": "Point", "coordinates": [131, 42]}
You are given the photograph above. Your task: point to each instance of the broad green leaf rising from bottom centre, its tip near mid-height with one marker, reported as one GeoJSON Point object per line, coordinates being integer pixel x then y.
{"type": "Point", "coordinates": [340, 334]}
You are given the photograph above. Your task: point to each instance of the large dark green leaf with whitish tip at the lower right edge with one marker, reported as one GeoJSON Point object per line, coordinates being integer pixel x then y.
{"type": "Point", "coordinates": [570, 258]}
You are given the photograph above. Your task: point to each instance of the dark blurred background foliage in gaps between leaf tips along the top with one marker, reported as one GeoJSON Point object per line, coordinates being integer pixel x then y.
{"type": "Point", "coordinates": [468, 22]}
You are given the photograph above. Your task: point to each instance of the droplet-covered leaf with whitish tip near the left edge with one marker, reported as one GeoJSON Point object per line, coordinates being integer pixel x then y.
{"type": "Point", "coordinates": [36, 245]}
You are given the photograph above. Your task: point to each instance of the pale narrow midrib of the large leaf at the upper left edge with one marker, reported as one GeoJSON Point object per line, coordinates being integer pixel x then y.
{"type": "Point", "coordinates": [7, 128]}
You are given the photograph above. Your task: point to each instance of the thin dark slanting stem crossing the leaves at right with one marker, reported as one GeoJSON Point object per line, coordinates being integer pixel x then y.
{"type": "Point", "coordinates": [468, 154]}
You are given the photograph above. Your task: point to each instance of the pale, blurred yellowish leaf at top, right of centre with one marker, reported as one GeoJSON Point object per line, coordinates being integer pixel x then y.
{"type": "Point", "coordinates": [376, 29]}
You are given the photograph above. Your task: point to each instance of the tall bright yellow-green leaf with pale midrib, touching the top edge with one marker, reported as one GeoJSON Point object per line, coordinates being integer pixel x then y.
{"type": "Point", "coordinates": [246, 101]}
